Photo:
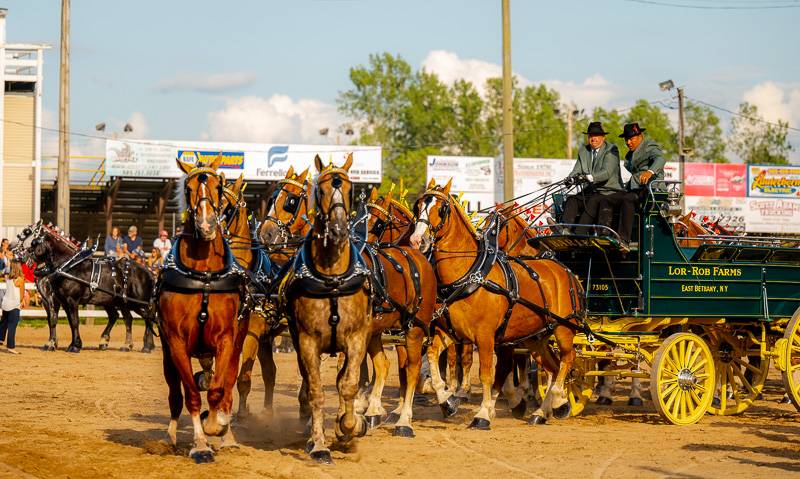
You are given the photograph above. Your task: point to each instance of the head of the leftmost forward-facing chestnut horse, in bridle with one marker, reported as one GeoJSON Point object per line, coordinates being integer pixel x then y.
{"type": "Point", "coordinates": [203, 191]}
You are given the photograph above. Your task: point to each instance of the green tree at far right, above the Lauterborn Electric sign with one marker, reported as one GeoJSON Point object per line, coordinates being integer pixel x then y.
{"type": "Point", "coordinates": [756, 141]}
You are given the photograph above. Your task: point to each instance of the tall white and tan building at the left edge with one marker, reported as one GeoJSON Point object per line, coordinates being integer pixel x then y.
{"type": "Point", "coordinates": [20, 132]}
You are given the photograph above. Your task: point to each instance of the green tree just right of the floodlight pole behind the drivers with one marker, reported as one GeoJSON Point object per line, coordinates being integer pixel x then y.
{"type": "Point", "coordinates": [703, 135]}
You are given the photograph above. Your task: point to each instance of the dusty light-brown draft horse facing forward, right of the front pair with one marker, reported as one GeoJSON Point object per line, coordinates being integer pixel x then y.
{"type": "Point", "coordinates": [327, 295]}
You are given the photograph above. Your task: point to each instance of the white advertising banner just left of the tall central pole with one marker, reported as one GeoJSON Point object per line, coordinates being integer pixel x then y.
{"type": "Point", "coordinates": [473, 176]}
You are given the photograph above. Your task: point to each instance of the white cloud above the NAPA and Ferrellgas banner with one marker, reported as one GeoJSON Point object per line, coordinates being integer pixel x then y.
{"type": "Point", "coordinates": [274, 119]}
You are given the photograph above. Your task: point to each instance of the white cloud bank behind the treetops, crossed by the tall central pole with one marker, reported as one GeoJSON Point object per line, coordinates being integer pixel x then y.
{"type": "Point", "coordinates": [589, 93]}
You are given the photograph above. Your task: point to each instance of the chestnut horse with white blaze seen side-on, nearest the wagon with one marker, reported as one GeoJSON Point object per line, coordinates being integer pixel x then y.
{"type": "Point", "coordinates": [494, 300]}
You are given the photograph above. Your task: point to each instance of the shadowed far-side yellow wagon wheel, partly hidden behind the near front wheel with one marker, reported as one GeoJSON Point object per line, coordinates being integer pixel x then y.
{"type": "Point", "coordinates": [740, 373]}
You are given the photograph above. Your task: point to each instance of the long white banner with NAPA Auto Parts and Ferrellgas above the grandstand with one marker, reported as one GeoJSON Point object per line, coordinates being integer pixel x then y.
{"type": "Point", "coordinates": [267, 162]}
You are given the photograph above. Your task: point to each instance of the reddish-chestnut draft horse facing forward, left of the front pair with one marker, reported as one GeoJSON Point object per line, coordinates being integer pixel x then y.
{"type": "Point", "coordinates": [199, 297]}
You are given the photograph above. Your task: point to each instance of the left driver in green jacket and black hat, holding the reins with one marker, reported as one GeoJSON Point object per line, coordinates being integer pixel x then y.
{"type": "Point", "coordinates": [597, 169]}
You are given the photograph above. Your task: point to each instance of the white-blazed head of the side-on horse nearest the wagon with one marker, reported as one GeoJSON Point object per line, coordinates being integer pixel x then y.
{"type": "Point", "coordinates": [432, 211]}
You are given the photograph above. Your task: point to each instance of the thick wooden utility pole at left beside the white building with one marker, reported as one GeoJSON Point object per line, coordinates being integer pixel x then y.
{"type": "Point", "coordinates": [62, 197]}
